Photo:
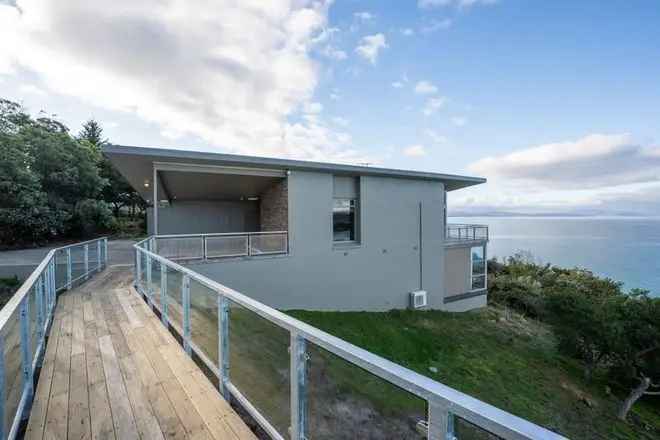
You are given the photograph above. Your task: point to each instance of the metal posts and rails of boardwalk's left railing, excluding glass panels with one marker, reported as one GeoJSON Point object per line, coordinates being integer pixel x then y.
{"type": "Point", "coordinates": [43, 284]}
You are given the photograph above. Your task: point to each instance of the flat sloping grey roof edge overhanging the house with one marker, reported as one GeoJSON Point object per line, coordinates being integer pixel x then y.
{"type": "Point", "coordinates": [150, 154]}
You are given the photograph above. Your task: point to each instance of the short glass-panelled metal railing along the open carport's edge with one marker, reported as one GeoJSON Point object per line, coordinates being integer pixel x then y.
{"type": "Point", "coordinates": [221, 245]}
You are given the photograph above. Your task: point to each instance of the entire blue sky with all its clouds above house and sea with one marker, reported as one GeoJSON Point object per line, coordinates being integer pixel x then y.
{"type": "Point", "coordinates": [556, 103]}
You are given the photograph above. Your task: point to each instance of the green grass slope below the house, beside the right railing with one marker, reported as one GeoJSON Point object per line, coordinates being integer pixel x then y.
{"type": "Point", "coordinates": [498, 357]}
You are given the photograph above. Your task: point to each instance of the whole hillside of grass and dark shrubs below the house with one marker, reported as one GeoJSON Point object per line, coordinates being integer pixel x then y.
{"type": "Point", "coordinates": [562, 348]}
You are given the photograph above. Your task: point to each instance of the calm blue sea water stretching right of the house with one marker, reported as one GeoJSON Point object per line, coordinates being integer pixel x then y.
{"type": "Point", "coordinates": [625, 249]}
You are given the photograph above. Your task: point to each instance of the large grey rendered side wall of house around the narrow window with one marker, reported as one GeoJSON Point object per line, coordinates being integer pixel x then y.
{"type": "Point", "coordinates": [376, 274]}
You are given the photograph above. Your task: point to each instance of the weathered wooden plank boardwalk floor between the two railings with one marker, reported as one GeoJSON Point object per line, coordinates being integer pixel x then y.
{"type": "Point", "coordinates": [112, 371]}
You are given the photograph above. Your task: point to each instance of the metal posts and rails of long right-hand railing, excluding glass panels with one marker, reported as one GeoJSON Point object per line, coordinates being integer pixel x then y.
{"type": "Point", "coordinates": [443, 402]}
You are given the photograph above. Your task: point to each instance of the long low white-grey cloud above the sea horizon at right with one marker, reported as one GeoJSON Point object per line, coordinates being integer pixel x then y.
{"type": "Point", "coordinates": [593, 161]}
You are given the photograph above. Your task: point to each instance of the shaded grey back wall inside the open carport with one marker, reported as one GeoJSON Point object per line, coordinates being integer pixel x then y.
{"type": "Point", "coordinates": [199, 217]}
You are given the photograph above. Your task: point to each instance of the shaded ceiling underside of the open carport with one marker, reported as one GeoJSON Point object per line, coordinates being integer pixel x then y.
{"type": "Point", "coordinates": [182, 185]}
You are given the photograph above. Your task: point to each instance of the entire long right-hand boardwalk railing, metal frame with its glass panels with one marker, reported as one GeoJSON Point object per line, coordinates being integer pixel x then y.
{"type": "Point", "coordinates": [279, 368]}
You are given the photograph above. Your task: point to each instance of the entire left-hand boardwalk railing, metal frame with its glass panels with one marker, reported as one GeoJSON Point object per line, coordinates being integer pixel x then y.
{"type": "Point", "coordinates": [25, 322]}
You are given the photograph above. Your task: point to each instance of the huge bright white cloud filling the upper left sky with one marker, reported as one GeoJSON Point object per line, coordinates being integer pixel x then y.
{"type": "Point", "coordinates": [237, 75]}
